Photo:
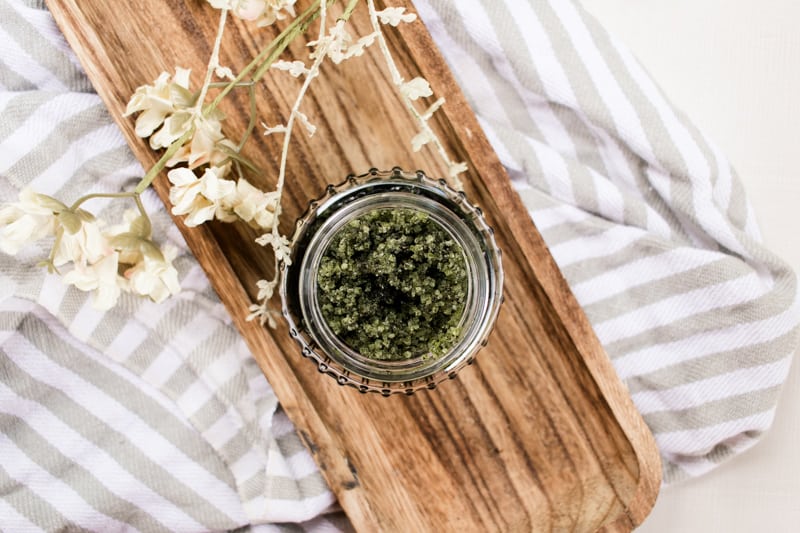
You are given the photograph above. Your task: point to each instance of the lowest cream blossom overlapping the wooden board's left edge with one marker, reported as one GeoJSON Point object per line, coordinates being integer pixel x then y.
{"type": "Point", "coordinates": [200, 199]}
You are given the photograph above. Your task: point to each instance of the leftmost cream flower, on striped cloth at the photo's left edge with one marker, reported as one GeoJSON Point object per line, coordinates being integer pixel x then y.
{"type": "Point", "coordinates": [28, 220]}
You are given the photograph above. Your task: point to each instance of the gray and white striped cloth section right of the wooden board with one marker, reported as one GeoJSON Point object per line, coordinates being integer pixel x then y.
{"type": "Point", "coordinates": [642, 213]}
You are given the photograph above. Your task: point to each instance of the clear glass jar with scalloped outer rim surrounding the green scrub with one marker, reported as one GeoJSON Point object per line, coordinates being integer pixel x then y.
{"type": "Point", "coordinates": [315, 230]}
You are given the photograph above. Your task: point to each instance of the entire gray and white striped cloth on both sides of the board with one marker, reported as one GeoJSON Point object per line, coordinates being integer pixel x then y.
{"type": "Point", "coordinates": [155, 417]}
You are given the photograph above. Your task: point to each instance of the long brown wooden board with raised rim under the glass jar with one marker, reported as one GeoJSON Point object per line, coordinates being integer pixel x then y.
{"type": "Point", "coordinates": [539, 434]}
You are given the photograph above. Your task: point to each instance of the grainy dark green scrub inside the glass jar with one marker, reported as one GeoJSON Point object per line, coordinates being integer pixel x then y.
{"type": "Point", "coordinates": [392, 285]}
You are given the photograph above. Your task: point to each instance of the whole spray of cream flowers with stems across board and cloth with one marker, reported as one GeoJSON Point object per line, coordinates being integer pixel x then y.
{"type": "Point", "coordinates": [109, 261]}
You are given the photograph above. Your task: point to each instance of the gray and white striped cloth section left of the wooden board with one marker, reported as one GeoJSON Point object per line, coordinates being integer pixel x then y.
{"type": "Point", "coordinates": [153, 416]}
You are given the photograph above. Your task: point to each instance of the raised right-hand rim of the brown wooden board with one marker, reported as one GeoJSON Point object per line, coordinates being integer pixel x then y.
{"type": "Point", "coordinates": [487, 165]}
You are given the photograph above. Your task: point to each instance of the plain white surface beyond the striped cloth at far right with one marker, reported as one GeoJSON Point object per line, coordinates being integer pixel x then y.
{"type": "Point", "coordinates": [733, 66]}
